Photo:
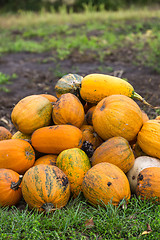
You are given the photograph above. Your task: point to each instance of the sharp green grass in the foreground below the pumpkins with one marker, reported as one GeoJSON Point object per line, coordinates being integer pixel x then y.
{"type": "Point", "coordinates": [70, 222]}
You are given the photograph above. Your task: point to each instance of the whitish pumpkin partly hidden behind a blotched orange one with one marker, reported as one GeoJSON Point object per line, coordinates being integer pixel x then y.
{"type": "Point", "coordinates": [139, 164]}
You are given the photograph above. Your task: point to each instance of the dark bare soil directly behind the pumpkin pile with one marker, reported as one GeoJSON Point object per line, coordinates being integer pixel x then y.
{"type": "Point", "coordinates": [36, 76]}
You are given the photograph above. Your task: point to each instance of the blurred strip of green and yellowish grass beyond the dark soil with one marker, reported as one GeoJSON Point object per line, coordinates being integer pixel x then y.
{"type": "Point", "coordinates": [101, 33]}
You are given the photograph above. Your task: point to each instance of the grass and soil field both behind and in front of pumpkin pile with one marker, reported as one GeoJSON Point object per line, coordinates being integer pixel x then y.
{"type": "Point", "coordinates": [38, 48]}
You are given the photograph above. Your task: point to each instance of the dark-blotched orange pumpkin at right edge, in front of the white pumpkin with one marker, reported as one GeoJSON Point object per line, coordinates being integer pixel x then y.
{"type": "Point", "coordinates": [148, 183]}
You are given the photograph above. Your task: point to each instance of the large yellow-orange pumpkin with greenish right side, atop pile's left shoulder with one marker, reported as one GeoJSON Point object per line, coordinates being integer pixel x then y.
{"type": "Point", "coordinates": [31, 113]}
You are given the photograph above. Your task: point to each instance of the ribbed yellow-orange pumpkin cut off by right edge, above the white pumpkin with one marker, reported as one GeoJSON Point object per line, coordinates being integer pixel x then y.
{"type": "Point", "coordinates": [149, 138]}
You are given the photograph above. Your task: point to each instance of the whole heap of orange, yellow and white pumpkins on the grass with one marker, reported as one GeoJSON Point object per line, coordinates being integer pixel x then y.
{"type": "Point", "coordinates": [91, 138]}
